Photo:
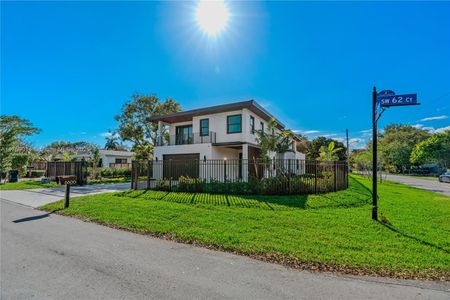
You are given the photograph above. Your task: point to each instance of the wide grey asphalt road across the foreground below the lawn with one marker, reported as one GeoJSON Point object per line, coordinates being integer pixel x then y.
{"type": "Point", "coordinates": [54, 257]}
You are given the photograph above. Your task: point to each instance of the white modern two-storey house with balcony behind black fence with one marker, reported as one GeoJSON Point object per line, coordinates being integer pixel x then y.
{"type": "Point", "coordinates": [223, 132]}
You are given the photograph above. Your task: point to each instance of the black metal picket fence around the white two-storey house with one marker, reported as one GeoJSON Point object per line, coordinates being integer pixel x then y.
{"type": "Point", "coordinates": [241, 176]}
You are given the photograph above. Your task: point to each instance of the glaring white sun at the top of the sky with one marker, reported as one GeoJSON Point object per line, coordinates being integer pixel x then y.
{"type": "Point", "coordinates": [212, 16]}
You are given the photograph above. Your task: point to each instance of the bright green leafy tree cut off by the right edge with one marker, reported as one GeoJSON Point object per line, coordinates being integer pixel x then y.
{"type": "Point", "coordinates": [434, 149]}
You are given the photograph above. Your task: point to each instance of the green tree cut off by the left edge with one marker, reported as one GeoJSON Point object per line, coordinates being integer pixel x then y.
{"type": "Point", "coordinates": [12, 129]}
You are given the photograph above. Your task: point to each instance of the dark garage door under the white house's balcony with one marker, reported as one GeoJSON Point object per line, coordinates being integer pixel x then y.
{"type": "Point", "coordinates": [176, 165]}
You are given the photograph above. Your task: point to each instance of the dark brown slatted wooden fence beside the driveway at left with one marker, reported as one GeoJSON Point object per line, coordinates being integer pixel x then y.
{"type": "Point", "coordinates": [65, 168]}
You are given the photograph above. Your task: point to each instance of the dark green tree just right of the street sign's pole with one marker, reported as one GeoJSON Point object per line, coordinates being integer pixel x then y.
{"type": "Point", "coordinates": [397, 143]}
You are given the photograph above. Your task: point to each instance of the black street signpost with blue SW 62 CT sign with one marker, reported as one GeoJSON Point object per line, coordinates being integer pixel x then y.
{"type": "Point", "coordinates": [384, 100]}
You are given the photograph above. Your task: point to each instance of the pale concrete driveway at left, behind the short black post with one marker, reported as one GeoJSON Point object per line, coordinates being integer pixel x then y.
{"type": "Point", "coordinates": [39, 197]}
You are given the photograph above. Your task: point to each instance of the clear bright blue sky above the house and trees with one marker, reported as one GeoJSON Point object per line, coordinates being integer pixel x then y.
{"type": "Point", "coordinates": [69, 66]}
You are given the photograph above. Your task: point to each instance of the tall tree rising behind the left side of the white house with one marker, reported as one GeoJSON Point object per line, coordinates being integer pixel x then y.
{"type": "Point", "coordinates": [133, 124]}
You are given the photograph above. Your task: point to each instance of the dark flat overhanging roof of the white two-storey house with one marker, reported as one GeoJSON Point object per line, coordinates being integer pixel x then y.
{"type": "Point", "coordinates": [187, 115]}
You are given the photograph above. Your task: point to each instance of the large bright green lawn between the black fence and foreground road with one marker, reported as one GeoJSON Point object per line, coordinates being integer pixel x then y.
{"type": "Point", "coordinates": [332, 231]}
